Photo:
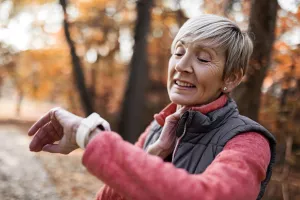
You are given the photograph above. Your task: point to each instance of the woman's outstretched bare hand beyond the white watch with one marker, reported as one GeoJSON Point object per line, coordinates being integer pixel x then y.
{"type": "Point", "coordinates": [56, 125]}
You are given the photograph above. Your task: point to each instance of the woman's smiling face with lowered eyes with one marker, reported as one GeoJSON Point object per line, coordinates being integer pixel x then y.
{"type": "Point", "coordinates": [195, 73]}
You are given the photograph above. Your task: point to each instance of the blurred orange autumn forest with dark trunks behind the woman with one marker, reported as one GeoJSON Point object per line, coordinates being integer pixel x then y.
{"type": "Point", "coordinates": [111, 57]}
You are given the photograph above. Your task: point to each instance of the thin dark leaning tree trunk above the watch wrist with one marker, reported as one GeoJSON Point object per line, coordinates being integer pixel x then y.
{"type": "Point", "coordinates": [76, 65]}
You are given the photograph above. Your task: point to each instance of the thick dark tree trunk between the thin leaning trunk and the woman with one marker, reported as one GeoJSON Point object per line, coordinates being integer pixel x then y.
{"type": "Point", "coordinates": [130, 124]}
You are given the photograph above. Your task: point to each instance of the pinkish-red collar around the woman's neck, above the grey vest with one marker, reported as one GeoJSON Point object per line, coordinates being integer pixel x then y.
{"type": "Point", "coordinates": [204, 109]}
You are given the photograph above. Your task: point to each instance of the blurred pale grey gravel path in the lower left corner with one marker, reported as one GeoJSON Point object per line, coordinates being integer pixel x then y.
{"type": "Point", "coordinates": [22, 176]}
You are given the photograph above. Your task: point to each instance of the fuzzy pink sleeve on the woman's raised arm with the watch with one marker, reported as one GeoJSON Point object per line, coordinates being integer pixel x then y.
{"type": "Point", "coordinates": [235, 174]}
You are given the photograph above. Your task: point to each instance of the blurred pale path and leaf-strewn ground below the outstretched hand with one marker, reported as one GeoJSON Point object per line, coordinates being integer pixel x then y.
{"type": "Point", "coordinates": [26, 175]}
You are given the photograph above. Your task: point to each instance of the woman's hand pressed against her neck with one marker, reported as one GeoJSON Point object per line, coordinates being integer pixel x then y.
{"type": "Point", "coordinates": [166, 142]}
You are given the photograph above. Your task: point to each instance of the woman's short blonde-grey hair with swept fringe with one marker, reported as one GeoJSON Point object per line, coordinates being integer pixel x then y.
{"type": "Point", "coordinates": [222, 33]}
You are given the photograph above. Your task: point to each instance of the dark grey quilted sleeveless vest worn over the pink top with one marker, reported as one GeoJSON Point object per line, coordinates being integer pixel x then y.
{"type": "Point", "coordinates": [203, 137]}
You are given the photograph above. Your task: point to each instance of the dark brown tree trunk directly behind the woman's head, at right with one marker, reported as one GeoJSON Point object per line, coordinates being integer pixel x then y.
{"type": "Point", "coordinates": [262, 24]}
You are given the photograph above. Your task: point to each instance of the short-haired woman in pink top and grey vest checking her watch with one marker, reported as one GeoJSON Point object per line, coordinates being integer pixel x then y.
{"type": "Point", "coordinates": [198, 147]}
